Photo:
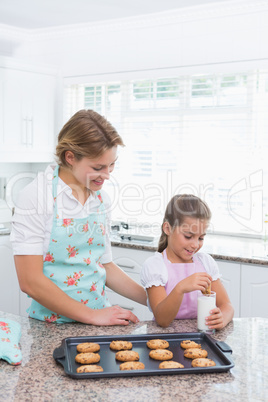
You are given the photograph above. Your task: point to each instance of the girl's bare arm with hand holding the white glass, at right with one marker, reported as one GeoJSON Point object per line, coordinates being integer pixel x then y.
{"type": "Point", "coordinates": [224, 312]}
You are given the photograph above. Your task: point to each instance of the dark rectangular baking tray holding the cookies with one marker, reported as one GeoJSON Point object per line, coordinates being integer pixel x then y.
{"type": "Point", "coordinates": [218, 351]}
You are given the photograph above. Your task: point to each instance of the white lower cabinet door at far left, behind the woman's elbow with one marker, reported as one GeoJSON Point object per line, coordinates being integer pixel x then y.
{"type": "Point", "coordinates": [9, 287]}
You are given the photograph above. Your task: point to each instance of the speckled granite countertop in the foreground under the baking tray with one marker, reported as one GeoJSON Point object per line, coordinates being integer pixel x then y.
{"type": "Point", "coordinates": [40, 378]}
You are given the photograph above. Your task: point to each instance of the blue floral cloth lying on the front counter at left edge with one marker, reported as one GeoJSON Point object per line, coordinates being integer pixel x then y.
{"type": "Point", "coordinates": [10, 333]}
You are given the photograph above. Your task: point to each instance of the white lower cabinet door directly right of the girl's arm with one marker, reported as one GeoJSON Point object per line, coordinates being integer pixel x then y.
{"type": "Point", "coordinates": [230, 272]}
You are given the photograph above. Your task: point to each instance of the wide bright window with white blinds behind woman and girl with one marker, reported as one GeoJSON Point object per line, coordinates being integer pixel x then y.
{"type": "Point", "coordinates": [202, 134]}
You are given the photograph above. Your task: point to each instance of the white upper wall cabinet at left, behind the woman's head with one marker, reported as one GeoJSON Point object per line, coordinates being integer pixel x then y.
{"type": "Point", "coordinates": [27, 114]}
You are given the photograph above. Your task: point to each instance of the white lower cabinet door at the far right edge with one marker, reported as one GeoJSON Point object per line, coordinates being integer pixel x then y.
{"type": "Point", "coordinates": [254, 291]}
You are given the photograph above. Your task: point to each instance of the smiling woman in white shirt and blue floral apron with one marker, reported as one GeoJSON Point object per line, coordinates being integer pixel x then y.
{"type": "Point", "coordinates": [59, 234]}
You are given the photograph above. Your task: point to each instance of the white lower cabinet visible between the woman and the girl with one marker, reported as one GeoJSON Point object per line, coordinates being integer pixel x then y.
{"type": "Point", "coordinates": [130, 260]}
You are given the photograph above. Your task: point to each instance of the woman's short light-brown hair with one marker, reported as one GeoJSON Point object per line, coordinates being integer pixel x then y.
{"type": "Point", "coordinates": [86, 134]}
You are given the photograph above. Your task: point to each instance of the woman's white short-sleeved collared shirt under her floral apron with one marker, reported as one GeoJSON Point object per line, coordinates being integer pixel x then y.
{"type": "Point", "coordinates": [33, 218]}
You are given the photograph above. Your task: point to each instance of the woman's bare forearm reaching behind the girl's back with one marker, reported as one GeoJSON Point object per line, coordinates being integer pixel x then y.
{"type": "Point", "coordinates": [120, 282]}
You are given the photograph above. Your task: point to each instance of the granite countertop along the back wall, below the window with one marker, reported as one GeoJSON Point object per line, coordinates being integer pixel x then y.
{"type": "Point", "coordinates": [227, 248]}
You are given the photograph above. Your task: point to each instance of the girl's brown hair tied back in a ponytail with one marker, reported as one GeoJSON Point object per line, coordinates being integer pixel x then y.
{"type": "Point", "coordinates": [179, 208]}
